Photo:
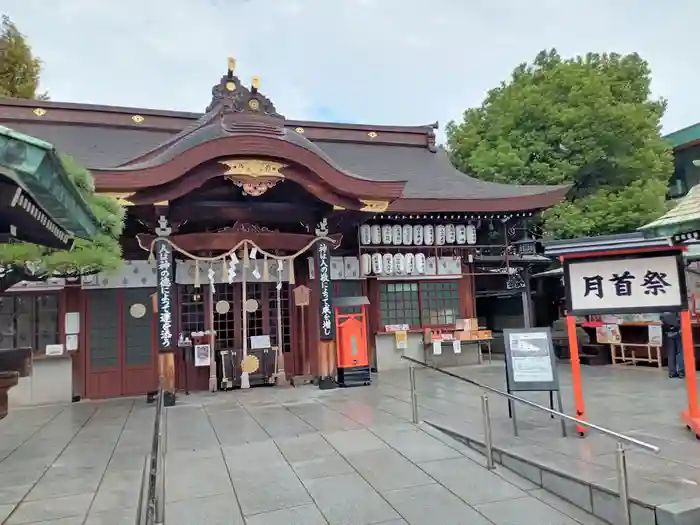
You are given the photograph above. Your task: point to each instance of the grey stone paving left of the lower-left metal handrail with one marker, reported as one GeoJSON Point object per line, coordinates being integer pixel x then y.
{"type": "Point", "coordinates": [73, 465]}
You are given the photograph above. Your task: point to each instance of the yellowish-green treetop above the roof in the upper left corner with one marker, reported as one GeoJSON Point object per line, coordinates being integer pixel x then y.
{"type": "Point", "coordinates": [19, 68]}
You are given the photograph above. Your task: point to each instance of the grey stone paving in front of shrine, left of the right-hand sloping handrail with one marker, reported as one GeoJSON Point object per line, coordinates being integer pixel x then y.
{"type": "Point", "coordinates": [265, 456]}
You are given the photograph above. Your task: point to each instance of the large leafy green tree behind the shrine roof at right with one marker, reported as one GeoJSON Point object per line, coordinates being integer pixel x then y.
{"type": "Point", "coordinates": [587, 121]}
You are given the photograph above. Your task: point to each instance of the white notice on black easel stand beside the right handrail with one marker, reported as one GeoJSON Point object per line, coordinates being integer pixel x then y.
{"type": "Point", "coordinates": [530, 357]}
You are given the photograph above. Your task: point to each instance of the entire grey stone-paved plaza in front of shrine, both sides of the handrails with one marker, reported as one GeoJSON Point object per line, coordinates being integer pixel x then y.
{"type": "Point", "coordinates": [348, 457]}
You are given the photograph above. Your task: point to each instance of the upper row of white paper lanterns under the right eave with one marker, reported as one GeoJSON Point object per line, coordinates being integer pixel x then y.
{"type": "Point", "coordinates": [418, 234]}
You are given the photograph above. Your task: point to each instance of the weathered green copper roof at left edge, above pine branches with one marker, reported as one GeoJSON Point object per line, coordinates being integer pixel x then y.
{"type": "Point", "coordinates": [35, 165]}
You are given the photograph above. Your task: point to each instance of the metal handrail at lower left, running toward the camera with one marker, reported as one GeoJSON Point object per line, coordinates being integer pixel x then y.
{"type": "Point", "coordinates": [151, 509]}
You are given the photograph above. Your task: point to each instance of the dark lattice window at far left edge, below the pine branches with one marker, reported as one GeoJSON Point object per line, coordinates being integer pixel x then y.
{"type": "Point", "coordinates": [29, 320]}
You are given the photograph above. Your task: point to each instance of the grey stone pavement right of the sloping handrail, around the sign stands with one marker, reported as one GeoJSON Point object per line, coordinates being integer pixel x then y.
{"type": "Point", "coordinates": [640, 402]}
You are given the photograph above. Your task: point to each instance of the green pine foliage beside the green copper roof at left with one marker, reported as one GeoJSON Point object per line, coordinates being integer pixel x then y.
{"type": "Point", "coordinates": [25, 261]}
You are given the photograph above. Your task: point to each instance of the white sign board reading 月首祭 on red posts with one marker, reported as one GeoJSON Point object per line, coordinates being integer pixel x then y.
{"type": "Point", "coordinates": [638, 284]}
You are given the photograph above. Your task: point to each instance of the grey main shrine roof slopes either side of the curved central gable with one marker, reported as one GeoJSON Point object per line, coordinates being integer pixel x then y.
{"type": "Point", "coordinates": [386, 153]}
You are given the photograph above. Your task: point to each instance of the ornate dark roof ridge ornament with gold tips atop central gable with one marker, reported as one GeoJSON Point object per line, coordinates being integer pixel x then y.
{"type": "Point", "coordinates": [230, 96]}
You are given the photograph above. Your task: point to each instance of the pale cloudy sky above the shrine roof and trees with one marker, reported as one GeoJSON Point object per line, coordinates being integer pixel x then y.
{"type": "Point", "coordinates": [401, 62]}
